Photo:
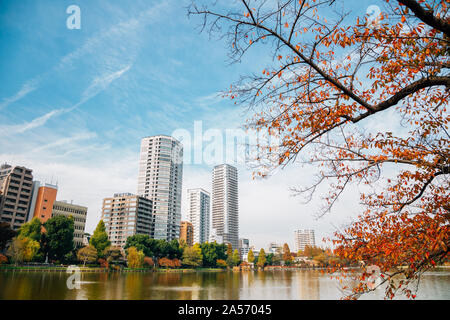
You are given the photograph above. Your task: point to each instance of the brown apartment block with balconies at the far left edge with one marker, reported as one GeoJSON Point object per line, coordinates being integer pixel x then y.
{"type": "Point", "coordinates": [15, 185]}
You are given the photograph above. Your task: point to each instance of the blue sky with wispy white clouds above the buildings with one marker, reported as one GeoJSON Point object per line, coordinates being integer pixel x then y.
{"type": "Point", "coordinates": [74, 104]}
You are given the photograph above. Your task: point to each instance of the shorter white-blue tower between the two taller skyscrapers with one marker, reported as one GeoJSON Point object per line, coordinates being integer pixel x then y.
{"type": "Point", "coordinates": [199, 208]}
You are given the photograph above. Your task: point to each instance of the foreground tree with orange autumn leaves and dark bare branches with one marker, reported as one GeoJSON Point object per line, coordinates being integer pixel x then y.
{"type": "Point", "coordinates": [330, 78]}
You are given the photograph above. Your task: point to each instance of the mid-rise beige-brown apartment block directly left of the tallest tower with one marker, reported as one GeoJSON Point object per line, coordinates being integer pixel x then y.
{"type": "Point", "coordinates": [125, 215]}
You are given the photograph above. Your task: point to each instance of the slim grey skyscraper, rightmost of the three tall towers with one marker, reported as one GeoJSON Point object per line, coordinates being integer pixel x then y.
{"type": "Point", "coordinates": [225, 215]}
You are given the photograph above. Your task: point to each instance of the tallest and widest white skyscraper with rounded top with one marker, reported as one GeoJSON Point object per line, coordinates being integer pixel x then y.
{"type": "Point", "coordinates": [160, 180]}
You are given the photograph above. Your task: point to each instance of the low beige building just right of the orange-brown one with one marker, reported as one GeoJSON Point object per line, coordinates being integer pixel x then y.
{"type": "Point", "coordinates": [78, 213]}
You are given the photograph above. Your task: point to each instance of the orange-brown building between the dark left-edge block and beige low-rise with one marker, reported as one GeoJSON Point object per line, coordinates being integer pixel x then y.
{"type": "Point", "coordinates": [44, 200]}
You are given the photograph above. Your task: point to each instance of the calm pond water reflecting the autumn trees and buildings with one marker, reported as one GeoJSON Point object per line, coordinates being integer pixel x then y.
{"type": "Point", "coordinates": [265, 285]}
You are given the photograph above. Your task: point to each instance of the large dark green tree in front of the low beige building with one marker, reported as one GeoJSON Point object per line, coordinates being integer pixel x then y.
{"type": "Point", "coordinates": [58, 237]}
